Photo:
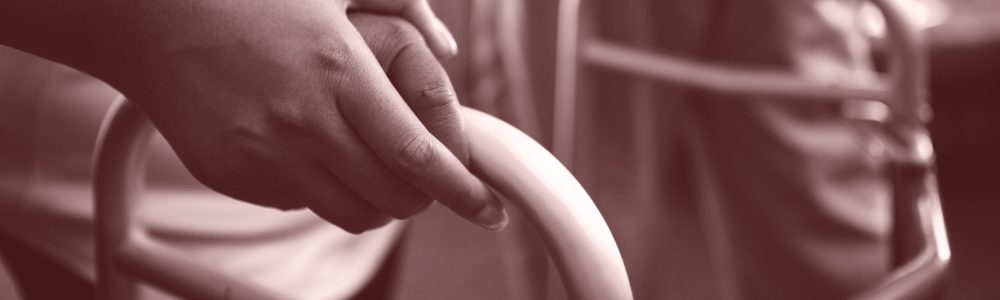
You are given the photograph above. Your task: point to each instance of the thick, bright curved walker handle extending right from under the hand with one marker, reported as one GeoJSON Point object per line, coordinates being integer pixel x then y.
{"type": "Point", "coordinates": [572, 229]}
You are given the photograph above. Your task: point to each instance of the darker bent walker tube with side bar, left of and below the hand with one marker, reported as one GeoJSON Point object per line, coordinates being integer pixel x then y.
{"type": "Point", "coordinates": [124, 253]}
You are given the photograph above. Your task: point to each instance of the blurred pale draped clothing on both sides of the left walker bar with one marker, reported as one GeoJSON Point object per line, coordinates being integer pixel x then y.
{"type": "Point", "coordinates": [49, 118]}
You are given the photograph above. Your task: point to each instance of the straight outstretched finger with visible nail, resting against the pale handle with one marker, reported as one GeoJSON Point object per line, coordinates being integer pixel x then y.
{"type": "Point", "coordinates": [382, 119]}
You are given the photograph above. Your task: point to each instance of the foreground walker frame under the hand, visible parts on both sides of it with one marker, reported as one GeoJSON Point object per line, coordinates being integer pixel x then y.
{"type": "Point", "coordinates": [523, 172]}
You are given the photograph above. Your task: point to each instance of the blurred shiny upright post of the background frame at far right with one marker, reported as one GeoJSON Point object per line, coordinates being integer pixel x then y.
{"type": "Point", "coordinates": [913, 155]}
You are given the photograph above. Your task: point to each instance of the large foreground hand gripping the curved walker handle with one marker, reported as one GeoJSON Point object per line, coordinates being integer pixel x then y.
{"type": "Point", "coordinates": [283, 104]}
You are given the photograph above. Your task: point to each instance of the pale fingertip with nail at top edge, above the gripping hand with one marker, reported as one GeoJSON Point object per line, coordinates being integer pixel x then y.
{"type": "Point", "coordinates": [439, 38]}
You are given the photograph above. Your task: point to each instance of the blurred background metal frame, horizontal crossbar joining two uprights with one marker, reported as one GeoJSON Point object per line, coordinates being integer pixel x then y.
{"type": "Point", "coordinates": [904, 92]}
